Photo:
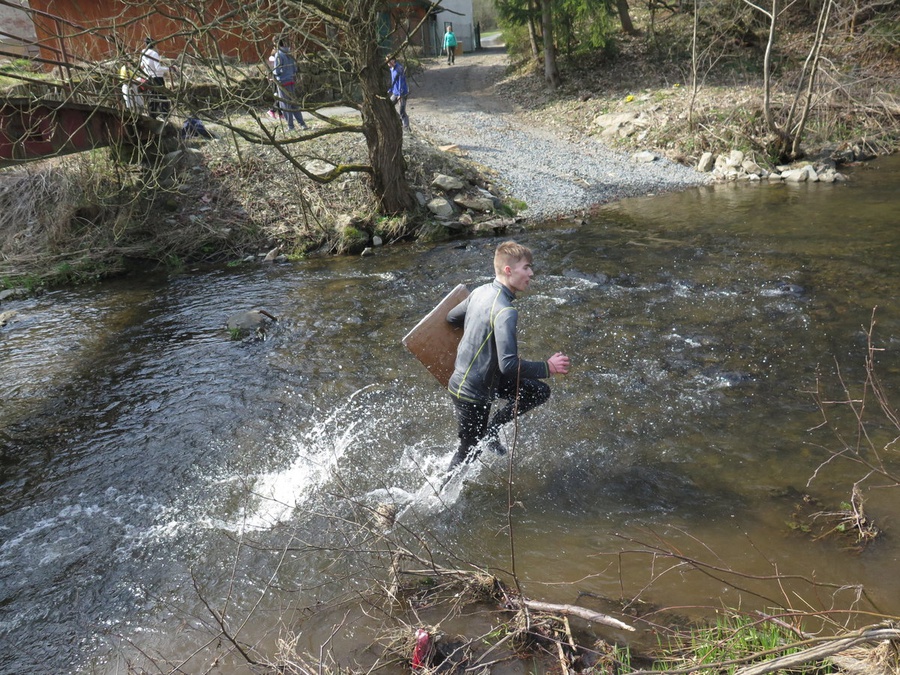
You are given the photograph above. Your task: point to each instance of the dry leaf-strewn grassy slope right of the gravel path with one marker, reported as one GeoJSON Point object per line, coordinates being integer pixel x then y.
{"type": "Point", "coordinates": [684, 102]}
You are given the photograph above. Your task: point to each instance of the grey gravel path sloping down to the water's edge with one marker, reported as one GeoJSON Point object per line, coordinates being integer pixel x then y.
{"type": "Point", "coordinates": [458, 105]}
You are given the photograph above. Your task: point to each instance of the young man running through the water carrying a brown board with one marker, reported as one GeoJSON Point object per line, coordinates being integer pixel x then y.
{"type": "Point", "coordinates": [488, 365]}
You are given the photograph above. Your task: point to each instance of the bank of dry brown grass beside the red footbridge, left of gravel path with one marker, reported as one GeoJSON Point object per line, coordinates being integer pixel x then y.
{"type": "Point", "coordinates": [83, 217]}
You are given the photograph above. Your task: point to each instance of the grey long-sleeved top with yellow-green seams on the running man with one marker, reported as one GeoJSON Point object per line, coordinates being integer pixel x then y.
{"type": "Point", "coordinates": [488, 350]}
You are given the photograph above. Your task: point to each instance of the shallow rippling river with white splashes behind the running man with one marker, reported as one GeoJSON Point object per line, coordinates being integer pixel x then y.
{"type": "Point", "coordinates": [150, 464]}
